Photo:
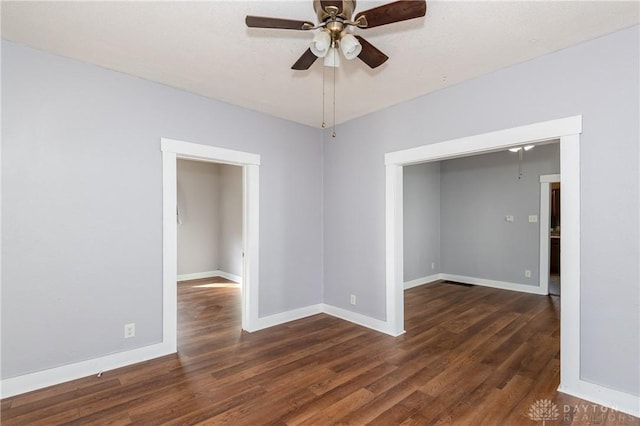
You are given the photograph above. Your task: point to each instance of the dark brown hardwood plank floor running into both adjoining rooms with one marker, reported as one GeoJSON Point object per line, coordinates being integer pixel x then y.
{"type": "Point", "coordinates": [470, 356]}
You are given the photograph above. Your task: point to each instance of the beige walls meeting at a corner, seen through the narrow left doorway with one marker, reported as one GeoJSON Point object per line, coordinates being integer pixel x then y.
{"type": "Point", "coordinates": [210, 228]}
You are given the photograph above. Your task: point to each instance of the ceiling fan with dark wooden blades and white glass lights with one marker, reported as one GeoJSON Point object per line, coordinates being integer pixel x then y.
{"type": "Point", "coordinates": [334, 21]}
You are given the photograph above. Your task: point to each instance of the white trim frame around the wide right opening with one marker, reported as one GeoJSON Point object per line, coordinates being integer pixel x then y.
{"type": "Point", "coordinates": [567, 130]}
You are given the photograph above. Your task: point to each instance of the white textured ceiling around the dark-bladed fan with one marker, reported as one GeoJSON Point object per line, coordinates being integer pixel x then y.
{"type": "Point", "coordinates": [205, 48]}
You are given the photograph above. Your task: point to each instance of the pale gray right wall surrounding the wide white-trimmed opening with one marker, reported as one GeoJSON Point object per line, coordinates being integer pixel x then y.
{"type": "Point", "coordinates": [598, 80]}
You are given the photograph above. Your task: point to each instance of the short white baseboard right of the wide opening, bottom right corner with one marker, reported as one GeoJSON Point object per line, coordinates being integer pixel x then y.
{"type": "Point", "coordinates": [618, 401]}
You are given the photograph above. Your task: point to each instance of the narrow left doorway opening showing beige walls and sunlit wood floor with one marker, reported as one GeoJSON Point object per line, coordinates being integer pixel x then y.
{"type": "Point", "coordinates": [209, 256]}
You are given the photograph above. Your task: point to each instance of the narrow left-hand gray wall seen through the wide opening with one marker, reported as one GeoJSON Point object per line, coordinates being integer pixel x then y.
{"type": "Point", "coordinates": [421, 186]}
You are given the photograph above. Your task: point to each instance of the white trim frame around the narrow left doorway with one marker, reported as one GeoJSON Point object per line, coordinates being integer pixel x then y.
{"type": "Point", "coordinates": [171, 151]}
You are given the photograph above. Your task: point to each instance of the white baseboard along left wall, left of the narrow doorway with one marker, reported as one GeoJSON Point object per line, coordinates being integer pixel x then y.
{"type": "Point", "coordinates": [53, 376]}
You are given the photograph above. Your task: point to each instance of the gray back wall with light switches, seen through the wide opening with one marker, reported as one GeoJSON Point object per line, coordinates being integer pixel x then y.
{"type": "Point", "coordinates": [477, 193]}
